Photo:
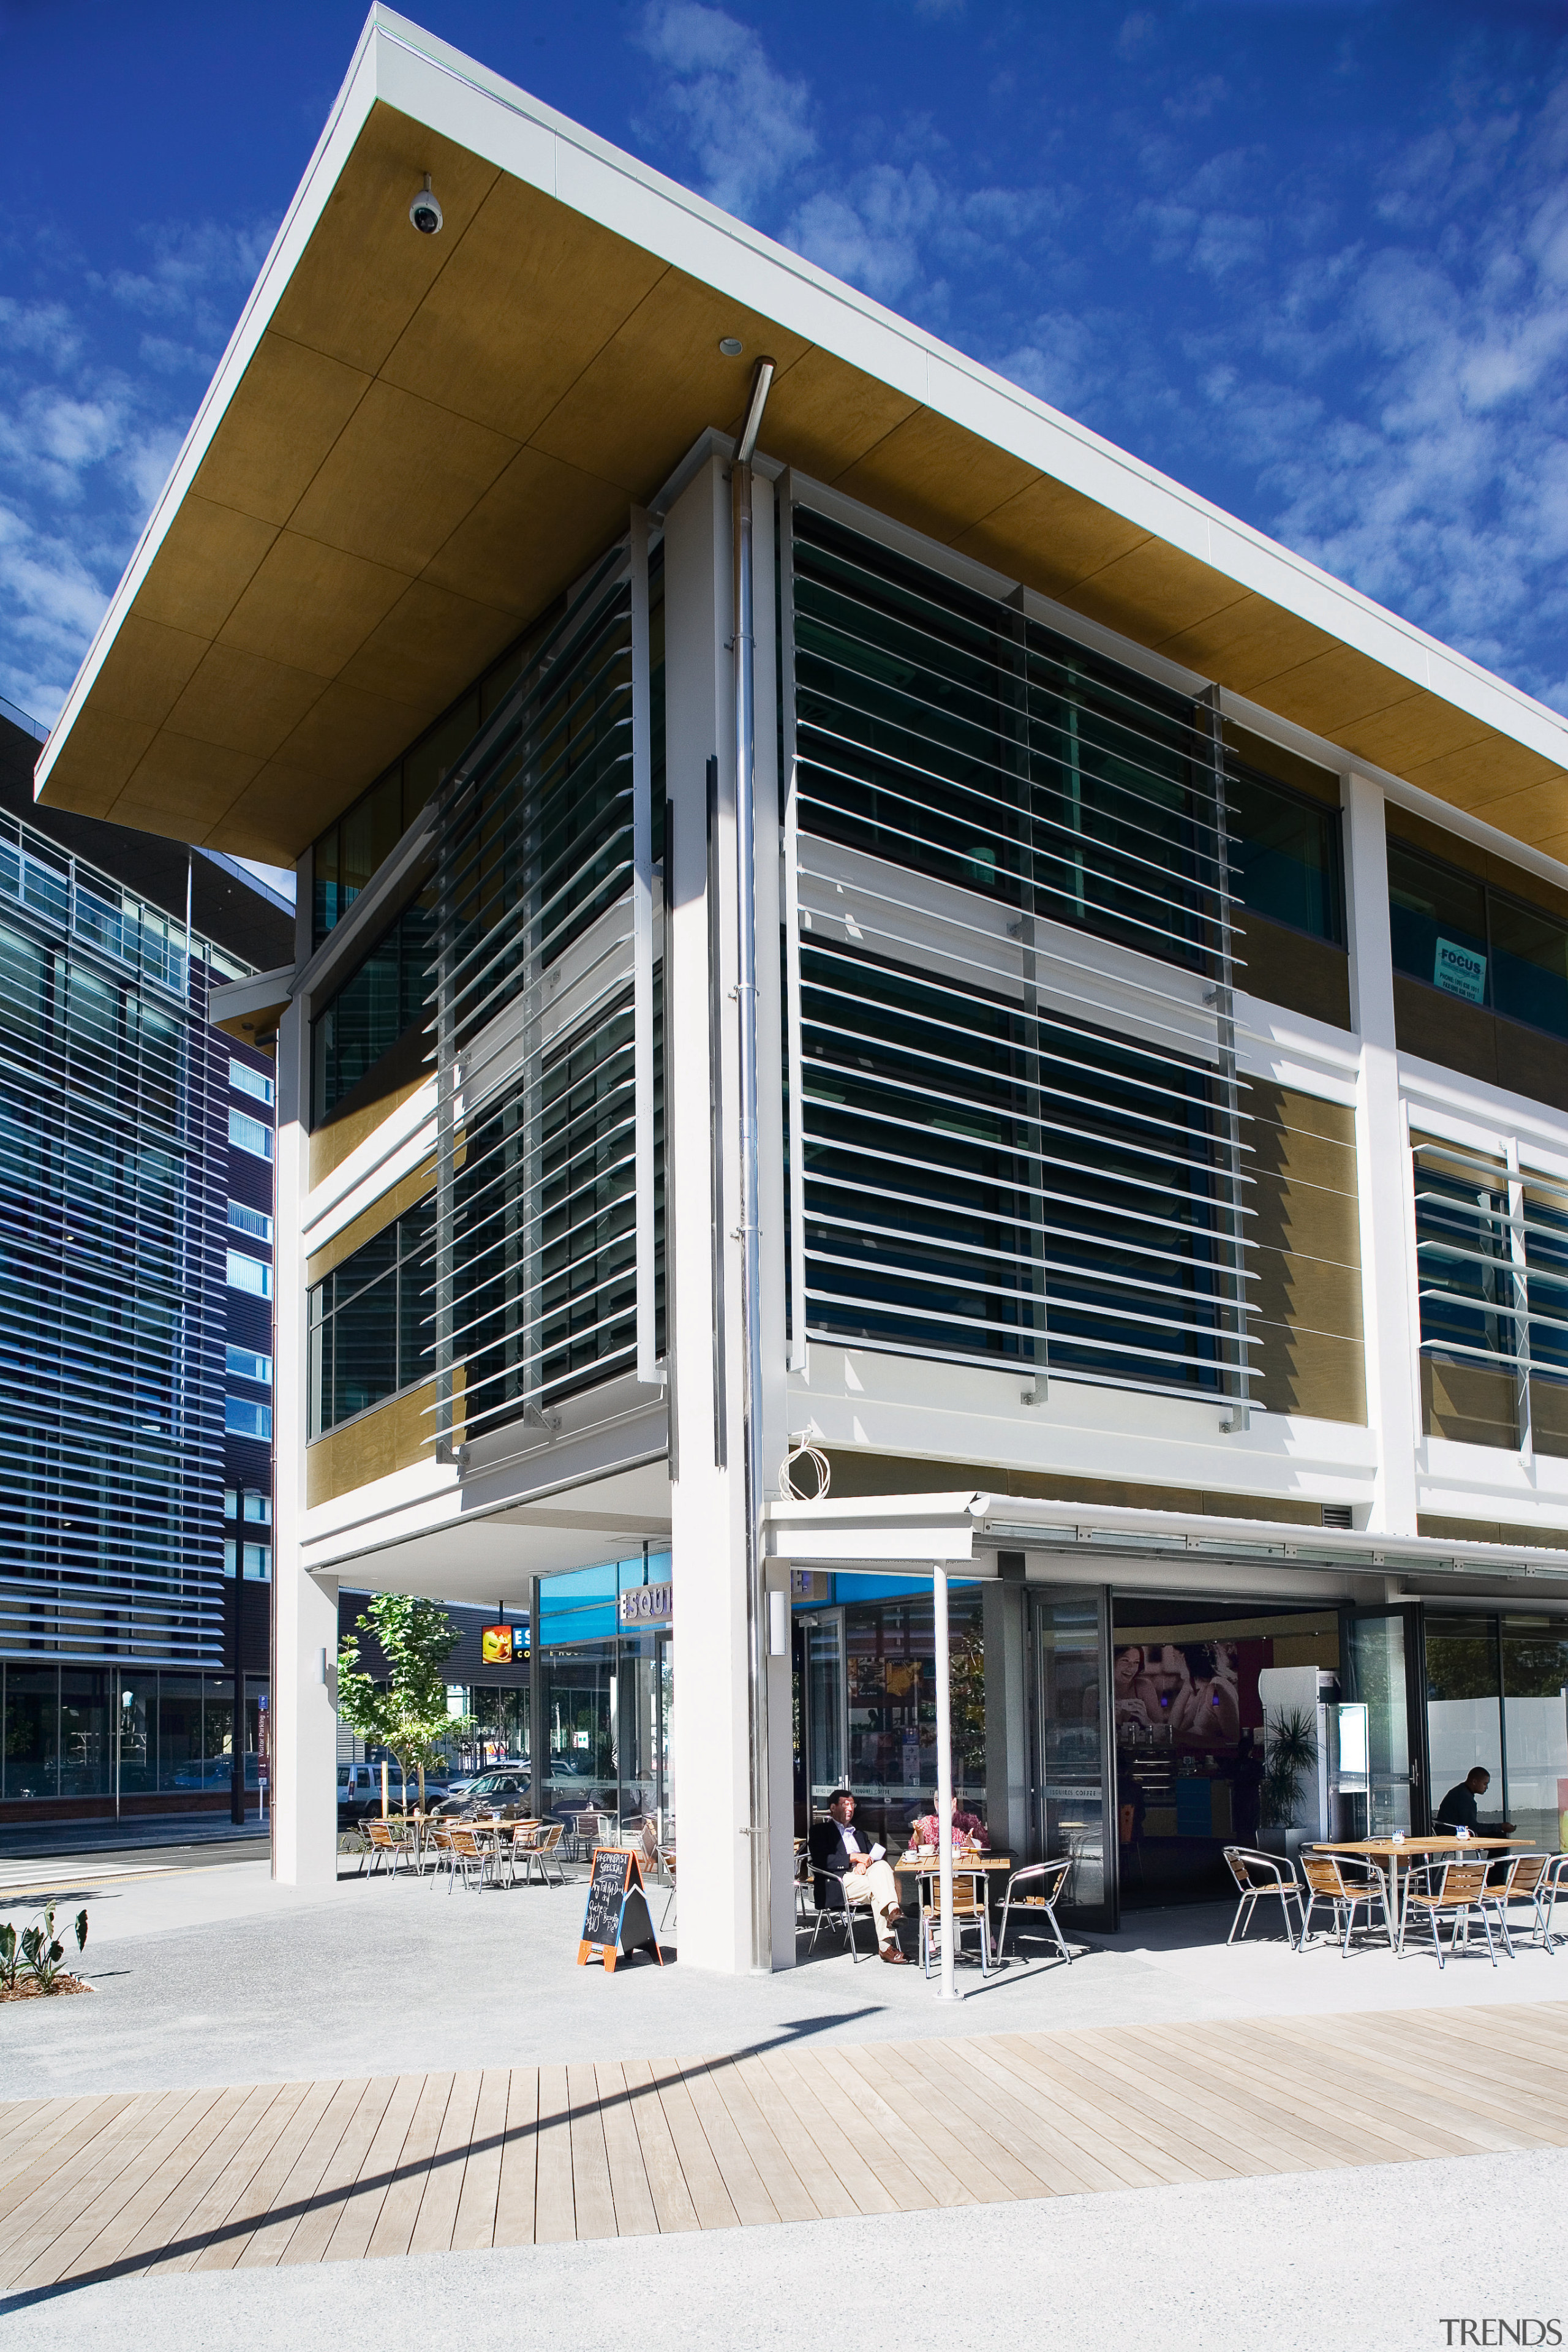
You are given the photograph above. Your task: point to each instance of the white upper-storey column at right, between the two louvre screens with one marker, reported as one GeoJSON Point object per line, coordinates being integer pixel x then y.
{"type": "Point", "coordinates": [1383, 1170]}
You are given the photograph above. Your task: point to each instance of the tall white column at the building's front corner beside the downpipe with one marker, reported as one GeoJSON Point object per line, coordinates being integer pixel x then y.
{"type": "Point", "coordinates": [706, 1488]}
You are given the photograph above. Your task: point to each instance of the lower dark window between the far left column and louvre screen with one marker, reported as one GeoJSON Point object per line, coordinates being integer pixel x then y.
{"type": "Point", "coordinates": [370, 1323]}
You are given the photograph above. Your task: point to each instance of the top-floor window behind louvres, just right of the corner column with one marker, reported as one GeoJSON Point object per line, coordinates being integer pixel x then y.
{"type": "Point", "coordinates": [946, 733]}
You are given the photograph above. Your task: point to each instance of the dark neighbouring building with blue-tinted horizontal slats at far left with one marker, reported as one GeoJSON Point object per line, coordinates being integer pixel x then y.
{"type": "Point", "coordinates": [130, 1358]}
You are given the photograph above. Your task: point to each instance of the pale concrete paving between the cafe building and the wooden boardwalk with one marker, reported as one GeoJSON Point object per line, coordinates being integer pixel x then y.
{"type": "Point", "coordinates": [217, 1977]}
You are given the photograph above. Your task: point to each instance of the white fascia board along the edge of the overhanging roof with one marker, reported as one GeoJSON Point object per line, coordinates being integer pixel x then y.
{"type": "Point", "coordinates": [464, 102]}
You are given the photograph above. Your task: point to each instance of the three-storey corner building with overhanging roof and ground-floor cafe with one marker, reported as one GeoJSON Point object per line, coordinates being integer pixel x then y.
{"type": "Point", "coordinates": [847, 928]}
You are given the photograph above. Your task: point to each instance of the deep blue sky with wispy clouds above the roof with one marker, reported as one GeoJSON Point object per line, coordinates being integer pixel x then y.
{"type": "Point", "coordinates": [1308, 258]}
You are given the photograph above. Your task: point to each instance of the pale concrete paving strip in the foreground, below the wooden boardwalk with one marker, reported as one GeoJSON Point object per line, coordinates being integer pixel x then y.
{"type": "Point", "coordinates": [1379, 2259]}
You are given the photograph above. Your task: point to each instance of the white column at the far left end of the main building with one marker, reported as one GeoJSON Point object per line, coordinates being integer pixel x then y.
{"type": "Point", "coordinates": [304, 1610]}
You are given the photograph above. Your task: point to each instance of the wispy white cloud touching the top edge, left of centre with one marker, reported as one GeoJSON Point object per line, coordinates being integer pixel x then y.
{"type": "Point", "coordinates": [744, 121]}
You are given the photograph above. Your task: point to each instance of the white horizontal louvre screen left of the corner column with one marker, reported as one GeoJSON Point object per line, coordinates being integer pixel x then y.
{"type": "Point", "coordinates": [535, 1257]}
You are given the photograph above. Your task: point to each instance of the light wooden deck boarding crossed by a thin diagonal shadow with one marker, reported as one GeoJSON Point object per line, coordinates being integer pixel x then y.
{"type": "Point", "coordinates": [333, 2172]}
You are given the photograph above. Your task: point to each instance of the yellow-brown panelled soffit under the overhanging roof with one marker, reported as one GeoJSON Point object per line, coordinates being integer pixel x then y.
{"type": "Point", "coordinates": [434, 436]}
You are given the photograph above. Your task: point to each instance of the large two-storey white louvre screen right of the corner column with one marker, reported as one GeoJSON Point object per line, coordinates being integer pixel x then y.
{"type": "Point", "coordinates": [1019, 1100]}
